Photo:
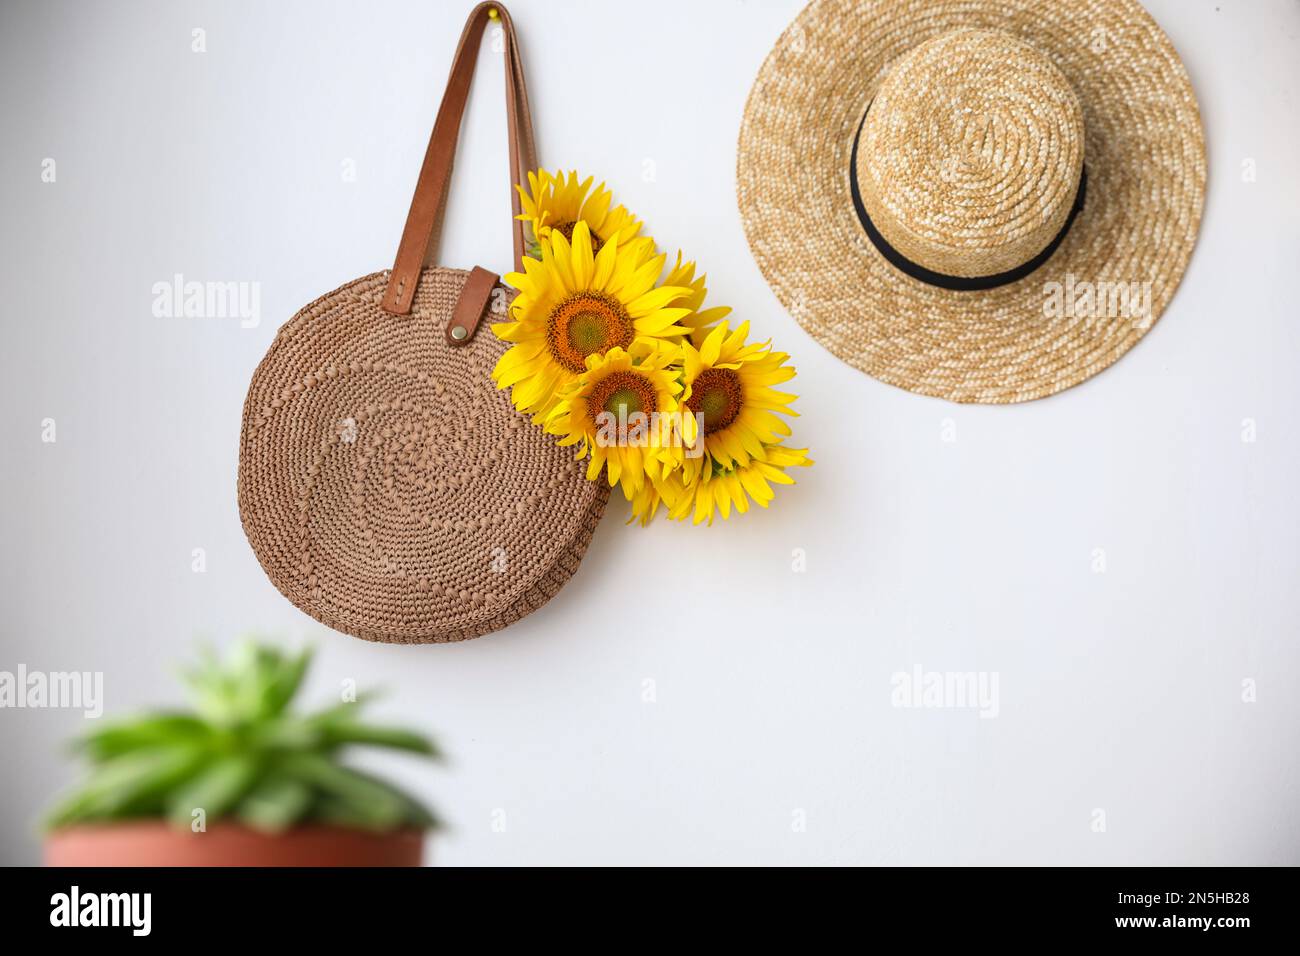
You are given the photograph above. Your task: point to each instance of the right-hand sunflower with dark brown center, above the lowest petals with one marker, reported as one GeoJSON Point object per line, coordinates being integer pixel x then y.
{"type": "Point", "coordinates": [730, 386]}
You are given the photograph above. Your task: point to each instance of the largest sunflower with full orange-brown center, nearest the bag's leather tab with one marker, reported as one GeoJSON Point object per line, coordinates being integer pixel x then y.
{"type": "Point", "coordinates": [573, 306]}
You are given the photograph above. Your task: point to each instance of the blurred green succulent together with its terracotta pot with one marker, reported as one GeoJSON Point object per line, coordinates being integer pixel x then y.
{"type": "Point", "coordinates": [241, 781]}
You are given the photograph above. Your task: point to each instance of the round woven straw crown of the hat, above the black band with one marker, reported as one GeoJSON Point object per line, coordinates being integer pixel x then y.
{"type": "Point", "coordinates": [970, 154]}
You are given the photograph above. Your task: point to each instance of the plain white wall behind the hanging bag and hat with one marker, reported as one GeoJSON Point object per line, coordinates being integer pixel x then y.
{"type": "Point", "coordinates": [1119, 691]}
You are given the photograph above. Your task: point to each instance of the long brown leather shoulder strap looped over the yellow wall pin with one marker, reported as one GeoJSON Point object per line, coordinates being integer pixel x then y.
{"type": "Point", "coordinates": [424, 222]}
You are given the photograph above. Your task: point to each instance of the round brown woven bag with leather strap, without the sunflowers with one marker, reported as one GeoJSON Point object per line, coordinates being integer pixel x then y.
{"type": "Point", "coordinates": [388, 488]}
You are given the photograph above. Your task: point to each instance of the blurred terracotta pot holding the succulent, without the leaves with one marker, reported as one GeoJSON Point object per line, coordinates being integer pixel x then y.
{"type": "Point", "coordinates": [154, 843]}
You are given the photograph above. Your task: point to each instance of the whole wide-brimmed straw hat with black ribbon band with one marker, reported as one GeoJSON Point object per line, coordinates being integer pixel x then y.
{"type": "Point", "coordinates": [986, 201]}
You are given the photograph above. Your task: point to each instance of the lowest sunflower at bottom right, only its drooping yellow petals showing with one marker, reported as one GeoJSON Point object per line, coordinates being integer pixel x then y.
{"type": "Point", "coordinates": [717, 488]}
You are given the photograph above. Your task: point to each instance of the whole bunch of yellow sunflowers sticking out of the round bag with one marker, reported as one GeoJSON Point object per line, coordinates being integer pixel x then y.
{"type": "Point", "coordinates": [627, 365]}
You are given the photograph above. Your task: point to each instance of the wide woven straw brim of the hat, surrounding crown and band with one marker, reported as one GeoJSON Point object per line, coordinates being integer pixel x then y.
{"type": "Point", "coordinates": [1145, 155]}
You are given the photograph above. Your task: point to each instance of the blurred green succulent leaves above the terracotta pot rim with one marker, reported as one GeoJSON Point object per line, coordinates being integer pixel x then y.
{"type": "Point", "coordinates": [244, 755]}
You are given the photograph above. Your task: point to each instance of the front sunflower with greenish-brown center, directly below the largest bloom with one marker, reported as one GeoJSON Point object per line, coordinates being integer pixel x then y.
{"type": "Point", "coordinates": [617, 413]}
